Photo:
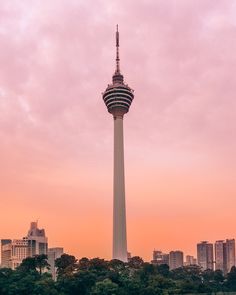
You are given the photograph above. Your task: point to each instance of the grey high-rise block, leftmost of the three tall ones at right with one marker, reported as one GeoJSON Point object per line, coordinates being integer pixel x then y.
{"type": "Point", "coordinates": [205, 255]}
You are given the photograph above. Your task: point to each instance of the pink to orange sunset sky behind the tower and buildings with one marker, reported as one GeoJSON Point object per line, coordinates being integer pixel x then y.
{"type": "Point", "coordinates": [56, 137]}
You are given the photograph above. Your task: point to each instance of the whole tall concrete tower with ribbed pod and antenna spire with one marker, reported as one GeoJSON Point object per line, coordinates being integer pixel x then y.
{"type": "Point", "coordinates": [118, 98]}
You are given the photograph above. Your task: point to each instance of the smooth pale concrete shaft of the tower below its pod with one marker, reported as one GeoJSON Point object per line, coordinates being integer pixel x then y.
{"type": "Point", "coordinates": [119, 212]}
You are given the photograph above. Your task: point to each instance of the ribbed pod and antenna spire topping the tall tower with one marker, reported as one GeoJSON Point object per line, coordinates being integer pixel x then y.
{"type": "Point", "coordinates": [118, 96]}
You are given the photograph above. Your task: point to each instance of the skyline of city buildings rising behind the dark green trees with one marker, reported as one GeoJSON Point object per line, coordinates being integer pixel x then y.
{"type": "Point", "coordinates": [219, 255]}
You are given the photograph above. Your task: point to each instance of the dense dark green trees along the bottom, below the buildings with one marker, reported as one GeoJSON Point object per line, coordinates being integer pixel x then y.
{"type": "Point", "coordinates": [99, 277]}
